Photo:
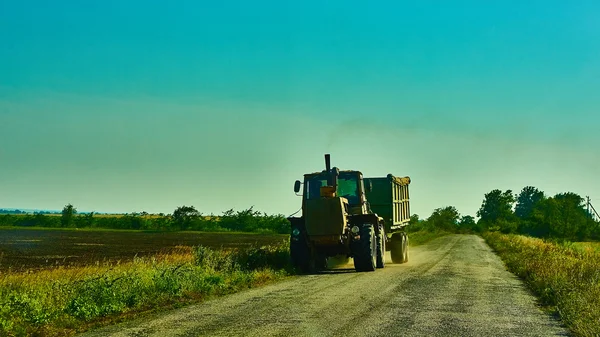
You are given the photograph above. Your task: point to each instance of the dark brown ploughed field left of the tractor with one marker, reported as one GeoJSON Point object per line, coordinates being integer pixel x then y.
{"type": "Point", "coordinates": [22, 249]}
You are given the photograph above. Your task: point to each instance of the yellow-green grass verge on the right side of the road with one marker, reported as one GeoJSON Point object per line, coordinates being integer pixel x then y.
{"type": "Point", "coordinates": [565, 277]}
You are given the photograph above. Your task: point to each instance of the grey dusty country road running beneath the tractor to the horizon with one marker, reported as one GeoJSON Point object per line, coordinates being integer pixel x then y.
{"type": "Point", "coordinates": [453, 286]}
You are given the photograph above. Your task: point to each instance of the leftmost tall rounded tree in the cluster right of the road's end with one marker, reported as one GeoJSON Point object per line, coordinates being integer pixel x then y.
{"type": "Point", "coordinates": [496, 210]}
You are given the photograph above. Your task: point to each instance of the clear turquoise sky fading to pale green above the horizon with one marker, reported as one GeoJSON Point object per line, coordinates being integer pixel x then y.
{"type": "Point", "coordinates": [130, 106]}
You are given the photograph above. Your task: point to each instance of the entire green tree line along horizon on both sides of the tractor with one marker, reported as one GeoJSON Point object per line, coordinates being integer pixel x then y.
{"type": "Point", "coordinates": [531, 212]}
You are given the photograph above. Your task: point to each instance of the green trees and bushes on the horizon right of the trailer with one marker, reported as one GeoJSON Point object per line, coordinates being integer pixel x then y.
{"type": "Point", "coordinates": [530, 212]}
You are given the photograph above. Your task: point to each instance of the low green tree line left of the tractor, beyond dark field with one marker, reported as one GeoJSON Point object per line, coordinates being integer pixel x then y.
{"type": "Point", "coordinates": [183, 218]}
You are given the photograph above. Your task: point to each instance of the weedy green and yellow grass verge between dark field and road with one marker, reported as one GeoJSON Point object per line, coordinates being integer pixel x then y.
{"type": "Point", "coordinates": [64, 300]}
